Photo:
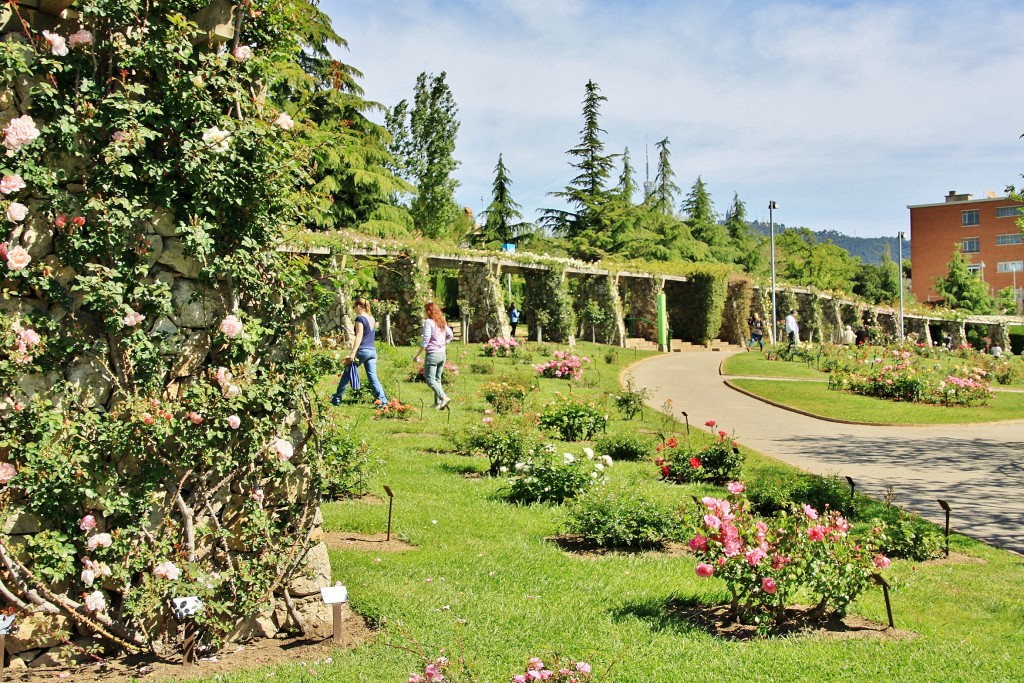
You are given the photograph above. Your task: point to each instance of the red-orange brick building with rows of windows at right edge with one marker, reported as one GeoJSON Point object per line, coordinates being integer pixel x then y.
{"type": "Point", "coordinates": [988, 233]}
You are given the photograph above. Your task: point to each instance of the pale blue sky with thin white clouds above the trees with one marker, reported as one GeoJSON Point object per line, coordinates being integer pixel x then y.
{"type": "Point", "coordinates": [843, 113]}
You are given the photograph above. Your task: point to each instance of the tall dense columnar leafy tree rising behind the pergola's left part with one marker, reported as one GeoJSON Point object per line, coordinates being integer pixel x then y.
{"type": "Point", "coordinates": [424, 139]}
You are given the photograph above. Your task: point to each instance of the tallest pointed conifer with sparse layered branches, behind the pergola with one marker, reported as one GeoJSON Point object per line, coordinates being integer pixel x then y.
{"type": "Point", "coordinates": [587, 193]}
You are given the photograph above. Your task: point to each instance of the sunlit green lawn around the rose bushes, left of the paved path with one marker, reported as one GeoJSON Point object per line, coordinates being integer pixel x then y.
{"type": "Point", "coordinates": [484, 583]}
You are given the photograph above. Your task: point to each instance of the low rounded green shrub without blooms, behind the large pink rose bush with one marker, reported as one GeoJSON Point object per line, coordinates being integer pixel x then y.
{"type": "Point", "coordinates": [623, 520]}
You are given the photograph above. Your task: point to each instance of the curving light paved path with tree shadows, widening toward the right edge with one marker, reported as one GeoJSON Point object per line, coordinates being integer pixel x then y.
{"type": "Point", "coordinates": [976, 468]}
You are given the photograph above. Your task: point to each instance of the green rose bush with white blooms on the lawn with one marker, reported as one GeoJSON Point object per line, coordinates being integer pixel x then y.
{"type": "Point", "coordinates": [550, 479]}
